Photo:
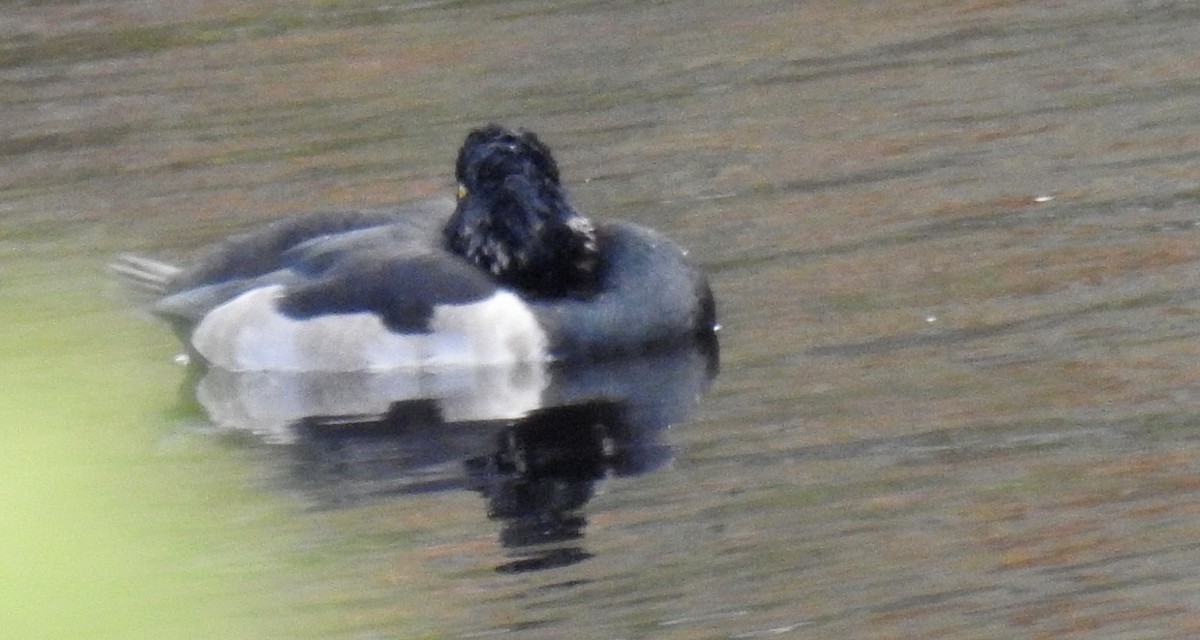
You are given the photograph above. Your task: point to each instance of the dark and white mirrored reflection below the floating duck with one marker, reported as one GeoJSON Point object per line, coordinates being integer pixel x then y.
{"type": "Point", "coordinates": [532, 440]}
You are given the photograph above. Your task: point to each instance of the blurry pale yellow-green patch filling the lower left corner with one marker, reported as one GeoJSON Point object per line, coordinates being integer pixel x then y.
{"type": "Point", "coordinates": [118, 521]}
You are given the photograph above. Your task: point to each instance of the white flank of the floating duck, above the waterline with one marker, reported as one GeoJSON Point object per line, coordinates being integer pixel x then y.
{"type": "Point", "coordinates": [250, 334]}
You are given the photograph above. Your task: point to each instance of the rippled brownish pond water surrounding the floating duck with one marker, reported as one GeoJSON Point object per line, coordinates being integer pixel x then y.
{"type": "Point", "coordinates": [955, 247]}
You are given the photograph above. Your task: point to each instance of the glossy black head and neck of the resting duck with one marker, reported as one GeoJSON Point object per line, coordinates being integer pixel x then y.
{"type": "Point", "coordinates": [513, 219]}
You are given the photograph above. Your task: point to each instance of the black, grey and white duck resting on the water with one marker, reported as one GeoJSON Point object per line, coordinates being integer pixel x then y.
{"type": "Point", "coordinates": [508, 272]}
